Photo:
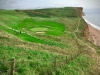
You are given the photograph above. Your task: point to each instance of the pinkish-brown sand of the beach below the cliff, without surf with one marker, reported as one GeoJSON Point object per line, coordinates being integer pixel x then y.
{"type": "Point", "coordinates": [94, 35]}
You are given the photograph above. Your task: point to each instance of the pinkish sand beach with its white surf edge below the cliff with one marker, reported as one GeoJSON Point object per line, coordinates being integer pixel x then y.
{"type": "Point", "coordinates": [93, 33]}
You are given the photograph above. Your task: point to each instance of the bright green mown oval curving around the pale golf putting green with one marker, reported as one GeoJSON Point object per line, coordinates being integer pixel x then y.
{"type": "Point", "coordinates": [52, 26]}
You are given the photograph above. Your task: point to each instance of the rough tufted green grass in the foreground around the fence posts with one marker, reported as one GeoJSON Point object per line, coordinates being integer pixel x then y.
{"type": "Point", "coordinates": [38, 62]}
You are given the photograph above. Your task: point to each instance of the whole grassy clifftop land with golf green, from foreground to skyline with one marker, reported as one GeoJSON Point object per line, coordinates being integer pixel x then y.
{"type": "Point", "coordinates": [46, 42]}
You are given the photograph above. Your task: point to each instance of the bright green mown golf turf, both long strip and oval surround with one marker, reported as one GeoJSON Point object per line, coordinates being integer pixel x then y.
{"type": "Point", "coordinates": [54, 28]}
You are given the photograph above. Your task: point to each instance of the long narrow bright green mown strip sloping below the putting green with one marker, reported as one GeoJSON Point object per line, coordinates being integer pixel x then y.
{"type": "Point", "coordinates": [28, 38]}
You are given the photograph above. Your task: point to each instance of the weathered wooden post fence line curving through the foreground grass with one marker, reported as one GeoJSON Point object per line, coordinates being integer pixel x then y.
{"type": "Point", "coordinates": [55, 63]}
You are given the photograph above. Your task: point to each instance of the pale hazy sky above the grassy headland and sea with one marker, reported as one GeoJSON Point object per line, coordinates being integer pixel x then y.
{"type": "Point", "coordinates": [15, 4]}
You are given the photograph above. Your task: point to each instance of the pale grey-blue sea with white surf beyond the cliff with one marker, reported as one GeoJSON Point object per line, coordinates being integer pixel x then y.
{"type": "Point", "coordinates": [92, 17]}
